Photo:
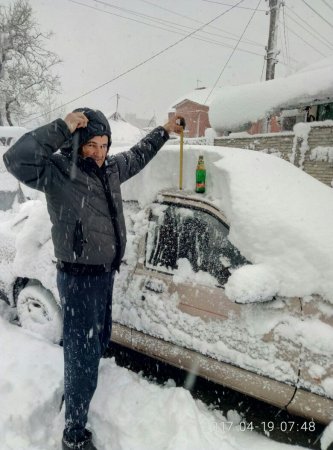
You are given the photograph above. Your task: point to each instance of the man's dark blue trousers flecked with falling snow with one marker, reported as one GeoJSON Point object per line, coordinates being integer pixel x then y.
{"type": "Point", "coordinates": [87, 312]}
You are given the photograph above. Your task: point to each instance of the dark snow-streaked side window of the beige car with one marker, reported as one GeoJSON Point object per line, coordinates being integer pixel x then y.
{"type": "Point", "coordinates": [177, 232]}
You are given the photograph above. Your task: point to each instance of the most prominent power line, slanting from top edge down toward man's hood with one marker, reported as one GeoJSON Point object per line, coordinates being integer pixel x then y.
{"type": "Point", "coordinates": [136, 66]}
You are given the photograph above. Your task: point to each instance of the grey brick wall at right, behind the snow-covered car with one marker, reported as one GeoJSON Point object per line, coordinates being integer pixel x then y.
{"type": "Point", "coordinates": [309, 147]}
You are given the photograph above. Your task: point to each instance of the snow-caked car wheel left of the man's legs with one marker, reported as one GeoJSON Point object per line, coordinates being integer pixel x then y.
{"type": "Point", "coordinates": [38, 311]}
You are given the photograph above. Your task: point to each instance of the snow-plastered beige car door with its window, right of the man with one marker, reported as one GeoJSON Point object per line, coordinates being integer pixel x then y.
{"type": "Point", "coordinates": [177, 293]}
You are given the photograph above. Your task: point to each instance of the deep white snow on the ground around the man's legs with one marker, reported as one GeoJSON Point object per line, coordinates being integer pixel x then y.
{"type": "Point", "coordinates": [127, 412]}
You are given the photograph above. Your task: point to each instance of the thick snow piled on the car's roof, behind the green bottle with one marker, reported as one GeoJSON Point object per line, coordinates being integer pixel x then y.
{"type": "Point", "coordinates": [280, 217]}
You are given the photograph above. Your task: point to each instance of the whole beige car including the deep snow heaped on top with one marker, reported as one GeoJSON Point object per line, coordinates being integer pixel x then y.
{"type": "Point", "coordinates": [220, 285]}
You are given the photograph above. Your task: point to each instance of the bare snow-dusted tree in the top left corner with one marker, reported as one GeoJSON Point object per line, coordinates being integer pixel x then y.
{"type": "Point", "coordinates": [25, 63]}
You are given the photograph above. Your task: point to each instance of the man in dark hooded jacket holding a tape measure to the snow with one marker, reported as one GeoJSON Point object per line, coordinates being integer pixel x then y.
{"type": "Point", "coordinates": [82, 189]}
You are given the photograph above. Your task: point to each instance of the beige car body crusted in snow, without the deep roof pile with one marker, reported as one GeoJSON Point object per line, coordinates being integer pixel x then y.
{"type": "Point", "coordinates": [170, 303]}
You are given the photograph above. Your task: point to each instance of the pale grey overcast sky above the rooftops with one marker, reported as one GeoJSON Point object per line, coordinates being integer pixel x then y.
{"type": "Point", "coordinates": [99, 40]}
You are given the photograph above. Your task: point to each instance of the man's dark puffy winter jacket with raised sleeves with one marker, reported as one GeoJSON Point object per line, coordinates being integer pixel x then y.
{"type": "Point", "coordinates": [83, 231]}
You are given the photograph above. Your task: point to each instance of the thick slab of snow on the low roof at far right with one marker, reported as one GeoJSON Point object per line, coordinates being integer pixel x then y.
{"type": "Point", "coordinates": [234, 106]}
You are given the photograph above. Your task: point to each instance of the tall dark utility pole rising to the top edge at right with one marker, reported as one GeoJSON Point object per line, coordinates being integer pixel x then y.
{"type": "Point", "coordinates": [271, 50]}
